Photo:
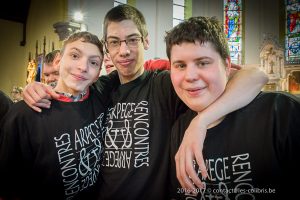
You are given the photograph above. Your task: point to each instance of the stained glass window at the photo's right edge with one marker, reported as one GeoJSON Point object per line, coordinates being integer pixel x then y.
{"type": "Point", "coordinates": [292, 39]}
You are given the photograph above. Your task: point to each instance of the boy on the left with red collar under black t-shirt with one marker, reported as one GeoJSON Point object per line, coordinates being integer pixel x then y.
{"type": "Point", "coordinates": [56, 154]}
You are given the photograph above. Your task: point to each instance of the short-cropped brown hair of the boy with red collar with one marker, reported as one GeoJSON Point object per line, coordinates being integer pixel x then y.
{"type": "Point", "coordinates": [84, 36]}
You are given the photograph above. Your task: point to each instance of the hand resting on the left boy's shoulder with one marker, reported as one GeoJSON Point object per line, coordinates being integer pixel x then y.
{"type": "Point", "coordinates": [37, 95]}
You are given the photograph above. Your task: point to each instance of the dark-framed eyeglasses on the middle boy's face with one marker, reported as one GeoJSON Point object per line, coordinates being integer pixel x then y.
{"type": "Point", "coordinates": [131, 42]}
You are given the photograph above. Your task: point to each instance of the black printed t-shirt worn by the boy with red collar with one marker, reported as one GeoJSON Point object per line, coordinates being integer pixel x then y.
{"type": "Point", "coordinates": [55, 154]}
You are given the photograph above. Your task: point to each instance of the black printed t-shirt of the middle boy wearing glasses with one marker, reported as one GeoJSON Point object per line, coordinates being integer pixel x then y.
{"type": "Point", "coordinates": [136, 155]}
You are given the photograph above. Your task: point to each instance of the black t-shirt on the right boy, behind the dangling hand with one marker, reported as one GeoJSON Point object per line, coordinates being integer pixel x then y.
{"type": "Point", "coordinates": [251, 154]}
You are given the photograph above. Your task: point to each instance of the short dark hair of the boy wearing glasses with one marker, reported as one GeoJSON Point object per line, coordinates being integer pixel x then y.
{"type": "Point", "coordinates": [125, 12]}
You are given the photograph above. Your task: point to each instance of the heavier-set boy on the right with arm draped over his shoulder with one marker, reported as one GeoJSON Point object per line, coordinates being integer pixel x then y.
{"type": "Point", "coordinates": [251, 153]}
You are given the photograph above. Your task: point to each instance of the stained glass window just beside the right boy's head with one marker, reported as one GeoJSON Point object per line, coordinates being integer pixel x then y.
{"type": "Point", "coordinates": [233, 28]}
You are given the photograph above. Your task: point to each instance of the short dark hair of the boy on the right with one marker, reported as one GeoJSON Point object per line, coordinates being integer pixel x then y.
{"type": "Point", "coordinates": [199, 29]}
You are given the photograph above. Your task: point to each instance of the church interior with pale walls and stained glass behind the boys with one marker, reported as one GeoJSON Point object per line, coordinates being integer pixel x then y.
{"type": "Point", "coordinates": [264, 34]}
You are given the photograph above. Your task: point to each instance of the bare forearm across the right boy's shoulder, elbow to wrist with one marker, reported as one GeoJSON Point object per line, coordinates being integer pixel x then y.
{"type": "Point", "coordinates": [241, 89]}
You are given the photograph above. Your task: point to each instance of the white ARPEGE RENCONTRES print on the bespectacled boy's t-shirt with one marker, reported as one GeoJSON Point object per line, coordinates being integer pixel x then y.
{"type": "Point", "coordinates": [127, 135]}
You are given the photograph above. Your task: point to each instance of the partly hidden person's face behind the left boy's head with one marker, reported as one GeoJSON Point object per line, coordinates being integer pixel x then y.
{"type": "Point", "coordinates": [51, 68]}
